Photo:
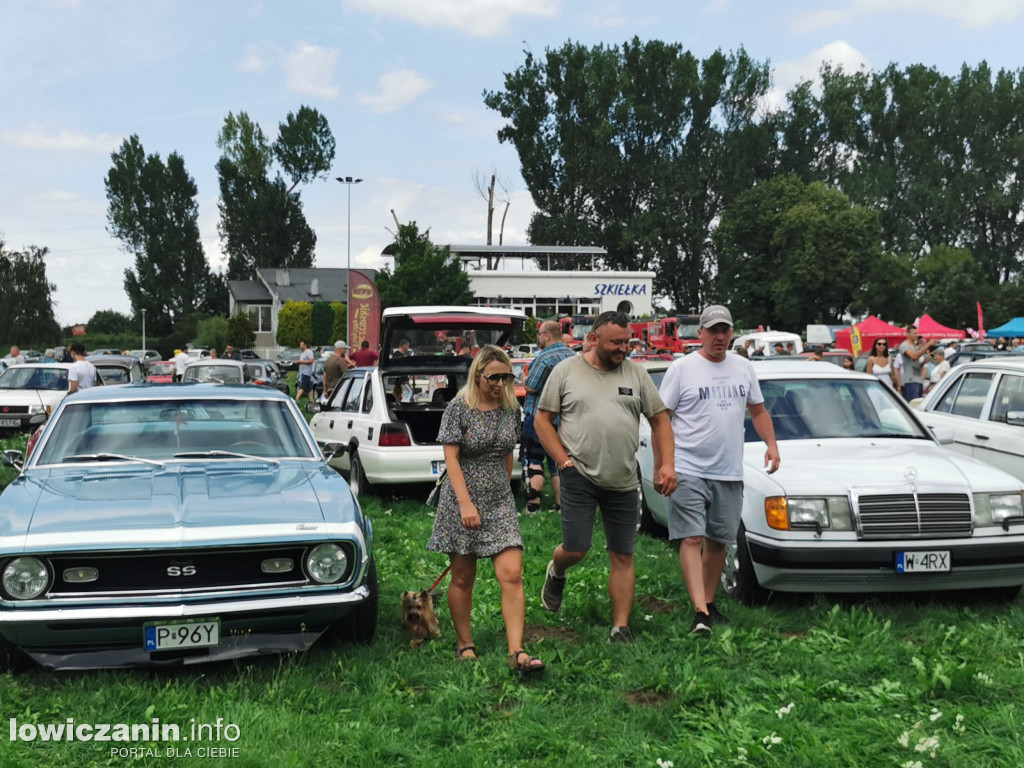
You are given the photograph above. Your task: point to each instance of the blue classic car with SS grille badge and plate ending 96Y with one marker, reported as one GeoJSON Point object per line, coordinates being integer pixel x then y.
{"type": "Point", "coordinates": [157, 526]}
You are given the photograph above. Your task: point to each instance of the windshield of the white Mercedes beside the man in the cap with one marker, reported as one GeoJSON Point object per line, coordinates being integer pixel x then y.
{"type": "Point", "coordinates": [815, 410]}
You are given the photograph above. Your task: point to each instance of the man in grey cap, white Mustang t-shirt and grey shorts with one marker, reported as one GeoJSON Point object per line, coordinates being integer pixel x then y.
{"type": "Point", "coordinates": [710, 394]}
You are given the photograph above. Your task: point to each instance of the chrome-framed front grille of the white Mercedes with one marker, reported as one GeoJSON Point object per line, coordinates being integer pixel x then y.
{"type": "Point", "coordinates": [914, 516]}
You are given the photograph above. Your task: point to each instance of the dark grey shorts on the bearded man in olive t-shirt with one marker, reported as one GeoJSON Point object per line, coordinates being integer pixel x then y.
{"type": "Point", "coordinates": [581, 499]}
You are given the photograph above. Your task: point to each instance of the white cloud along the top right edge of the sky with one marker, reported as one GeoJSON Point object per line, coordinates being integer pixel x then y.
{"type": "Point", "coordinates": [970, 14]}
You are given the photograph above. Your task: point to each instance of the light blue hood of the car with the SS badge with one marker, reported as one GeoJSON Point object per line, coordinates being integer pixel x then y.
{"type": "Point", "coordinates": [180, 505]}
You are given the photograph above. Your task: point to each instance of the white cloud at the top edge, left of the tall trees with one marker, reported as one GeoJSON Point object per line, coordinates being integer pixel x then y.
{"type": "Point", "coordinates": [477, 18]}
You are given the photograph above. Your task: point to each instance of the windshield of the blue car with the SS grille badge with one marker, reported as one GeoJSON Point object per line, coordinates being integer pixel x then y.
{"type": "Point", "coordinates": [158, 430]}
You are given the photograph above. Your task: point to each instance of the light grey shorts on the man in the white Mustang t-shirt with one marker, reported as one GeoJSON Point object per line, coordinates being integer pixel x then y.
{"type": "Point", "coordinates": [708, 508]}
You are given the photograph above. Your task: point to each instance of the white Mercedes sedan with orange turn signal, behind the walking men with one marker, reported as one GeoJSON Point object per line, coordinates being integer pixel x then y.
{"type": "Point", "coordinates": [867, 499]}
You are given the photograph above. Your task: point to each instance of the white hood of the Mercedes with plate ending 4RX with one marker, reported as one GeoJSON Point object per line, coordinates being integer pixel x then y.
{"type": "Point", "coordinates": [837, 466]}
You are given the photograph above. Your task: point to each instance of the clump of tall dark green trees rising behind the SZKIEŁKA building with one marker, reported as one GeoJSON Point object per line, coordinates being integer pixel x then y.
{"type": "Point", "coordinates": [637, 149]}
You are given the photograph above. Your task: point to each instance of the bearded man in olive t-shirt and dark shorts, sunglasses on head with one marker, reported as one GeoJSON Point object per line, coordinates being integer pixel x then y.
{"type": "Point", "coordinates": [599, 398]}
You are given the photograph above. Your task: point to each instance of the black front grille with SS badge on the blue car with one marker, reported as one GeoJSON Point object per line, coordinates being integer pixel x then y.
{"type": "Point", "coordinates": [188, 572]}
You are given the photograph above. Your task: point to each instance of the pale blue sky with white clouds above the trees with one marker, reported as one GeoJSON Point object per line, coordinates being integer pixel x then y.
{"type": "Point", "coordinates": [401, 83]}
